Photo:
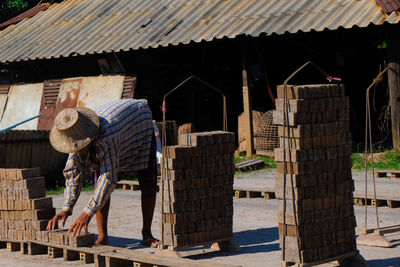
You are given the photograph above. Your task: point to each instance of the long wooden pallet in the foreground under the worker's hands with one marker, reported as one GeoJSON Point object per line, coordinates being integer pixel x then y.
{"type": "Point", "coordinates": [104, 255]}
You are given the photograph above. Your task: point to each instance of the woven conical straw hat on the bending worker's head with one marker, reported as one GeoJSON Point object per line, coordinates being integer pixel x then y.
{"type": "Point", "coordinates": [74, 129]}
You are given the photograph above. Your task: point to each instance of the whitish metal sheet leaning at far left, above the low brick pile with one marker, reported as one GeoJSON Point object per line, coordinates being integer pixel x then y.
{"type": "Point", "coordinates": [23, 103]}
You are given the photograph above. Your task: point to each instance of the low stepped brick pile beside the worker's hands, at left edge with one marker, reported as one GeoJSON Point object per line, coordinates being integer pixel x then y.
{"type": "Point", "coordinates": [24, 208]}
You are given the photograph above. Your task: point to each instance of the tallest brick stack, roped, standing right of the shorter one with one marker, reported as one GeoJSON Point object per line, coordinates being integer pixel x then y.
{"type": "Point", "coordinates": [320, 151]}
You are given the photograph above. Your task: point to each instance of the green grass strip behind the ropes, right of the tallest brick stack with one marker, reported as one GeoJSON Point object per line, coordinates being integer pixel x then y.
{"type": "Point", "coordinates": [389, 160]}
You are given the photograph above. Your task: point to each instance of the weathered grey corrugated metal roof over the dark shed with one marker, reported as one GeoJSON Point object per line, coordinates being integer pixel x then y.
{"type": "Point", "coordinates": [96, 26]}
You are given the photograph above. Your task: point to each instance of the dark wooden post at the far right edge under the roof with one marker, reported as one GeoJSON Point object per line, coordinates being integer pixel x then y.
{"type": "Point", "coordinates": [393, 56]}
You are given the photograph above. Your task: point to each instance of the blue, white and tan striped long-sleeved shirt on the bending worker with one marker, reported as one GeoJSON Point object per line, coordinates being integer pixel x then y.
{"type": "Point", "coordinates": [123, 145]}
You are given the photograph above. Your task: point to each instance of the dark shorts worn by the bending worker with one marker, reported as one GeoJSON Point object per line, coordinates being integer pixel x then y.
{"type": "Point", "coordinates": [148, 177]}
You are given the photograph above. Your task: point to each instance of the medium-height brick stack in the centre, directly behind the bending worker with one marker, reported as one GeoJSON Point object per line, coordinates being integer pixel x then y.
{"type": "Point", "coordinates": [197, 184]}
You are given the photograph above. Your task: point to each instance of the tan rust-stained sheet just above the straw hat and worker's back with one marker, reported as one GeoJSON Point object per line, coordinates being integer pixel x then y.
{"type": "Point", "coordinates": [97, 91]}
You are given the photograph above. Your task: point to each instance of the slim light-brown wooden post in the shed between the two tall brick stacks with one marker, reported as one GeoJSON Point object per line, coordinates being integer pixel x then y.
{"type": "Point", "coordinates": [247, 106]}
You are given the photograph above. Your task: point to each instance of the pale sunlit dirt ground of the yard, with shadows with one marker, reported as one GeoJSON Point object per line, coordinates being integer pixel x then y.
{"type": "Point", "coordinates": [255, 227]}
